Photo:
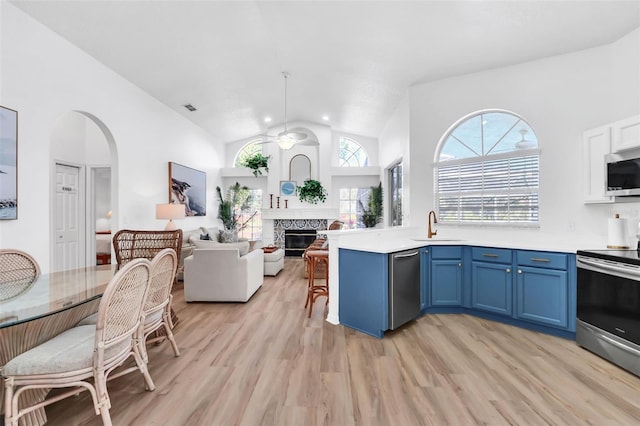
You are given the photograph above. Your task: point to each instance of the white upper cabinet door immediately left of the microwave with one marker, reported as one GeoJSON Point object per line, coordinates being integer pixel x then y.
{"type": "Point", "coordinates": [596, 143]}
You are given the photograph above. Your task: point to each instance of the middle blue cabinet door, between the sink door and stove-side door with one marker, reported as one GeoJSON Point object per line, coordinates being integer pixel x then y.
{"type": "Point", "coordinates": [491, 287]}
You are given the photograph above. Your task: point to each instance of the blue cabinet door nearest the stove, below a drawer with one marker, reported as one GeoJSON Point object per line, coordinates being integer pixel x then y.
{"type": "Point", "coordinates": [542, 296]}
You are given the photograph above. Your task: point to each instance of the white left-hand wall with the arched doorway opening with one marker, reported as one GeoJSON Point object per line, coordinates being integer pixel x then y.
{"type": "Point", "coordinates": [44, 78]}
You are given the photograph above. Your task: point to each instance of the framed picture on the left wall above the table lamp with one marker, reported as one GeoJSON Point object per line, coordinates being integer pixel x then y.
{"type": "Point", "coordinates": [189, 187]}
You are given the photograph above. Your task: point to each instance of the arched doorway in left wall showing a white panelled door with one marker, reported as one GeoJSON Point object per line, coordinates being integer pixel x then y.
{"type": "Point", "coordinates": [84, 191]}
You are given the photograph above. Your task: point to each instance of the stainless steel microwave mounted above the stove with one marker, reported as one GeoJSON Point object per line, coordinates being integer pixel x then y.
{"type": "Point", "coordinates": [623, 173]}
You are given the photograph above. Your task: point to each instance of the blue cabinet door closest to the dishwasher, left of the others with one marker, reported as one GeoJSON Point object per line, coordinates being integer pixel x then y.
{"type": "Point", "coordinates": [446, 282]}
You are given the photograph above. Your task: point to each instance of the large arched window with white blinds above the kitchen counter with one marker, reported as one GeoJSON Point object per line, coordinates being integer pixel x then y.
{"type": "Point", "coordinates": [487, 171]}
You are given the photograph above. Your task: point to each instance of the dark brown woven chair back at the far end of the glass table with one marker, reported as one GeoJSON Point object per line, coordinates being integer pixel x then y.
{"type": "Point", "coordinates": [133, 244]}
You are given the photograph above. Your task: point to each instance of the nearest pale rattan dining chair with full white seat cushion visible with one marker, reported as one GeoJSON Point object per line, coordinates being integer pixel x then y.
{"type": "Point", "coordinates": [83, 357]}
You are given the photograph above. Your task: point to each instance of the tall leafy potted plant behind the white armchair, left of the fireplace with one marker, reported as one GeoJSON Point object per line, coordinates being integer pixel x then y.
{"type": "Point", "coordinates": [237, 199]}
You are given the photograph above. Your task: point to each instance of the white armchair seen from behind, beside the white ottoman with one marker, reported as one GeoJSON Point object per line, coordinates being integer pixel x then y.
{"type": "Point", "coordinates": [220, 274]}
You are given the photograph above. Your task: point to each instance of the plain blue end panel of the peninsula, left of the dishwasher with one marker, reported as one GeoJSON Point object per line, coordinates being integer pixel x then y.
{"type": "Point", "coordinates": [364, 288]}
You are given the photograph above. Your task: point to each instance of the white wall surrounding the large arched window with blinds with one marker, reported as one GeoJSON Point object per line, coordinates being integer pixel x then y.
{"type": "Point", "coordinates": [560, 97]}
